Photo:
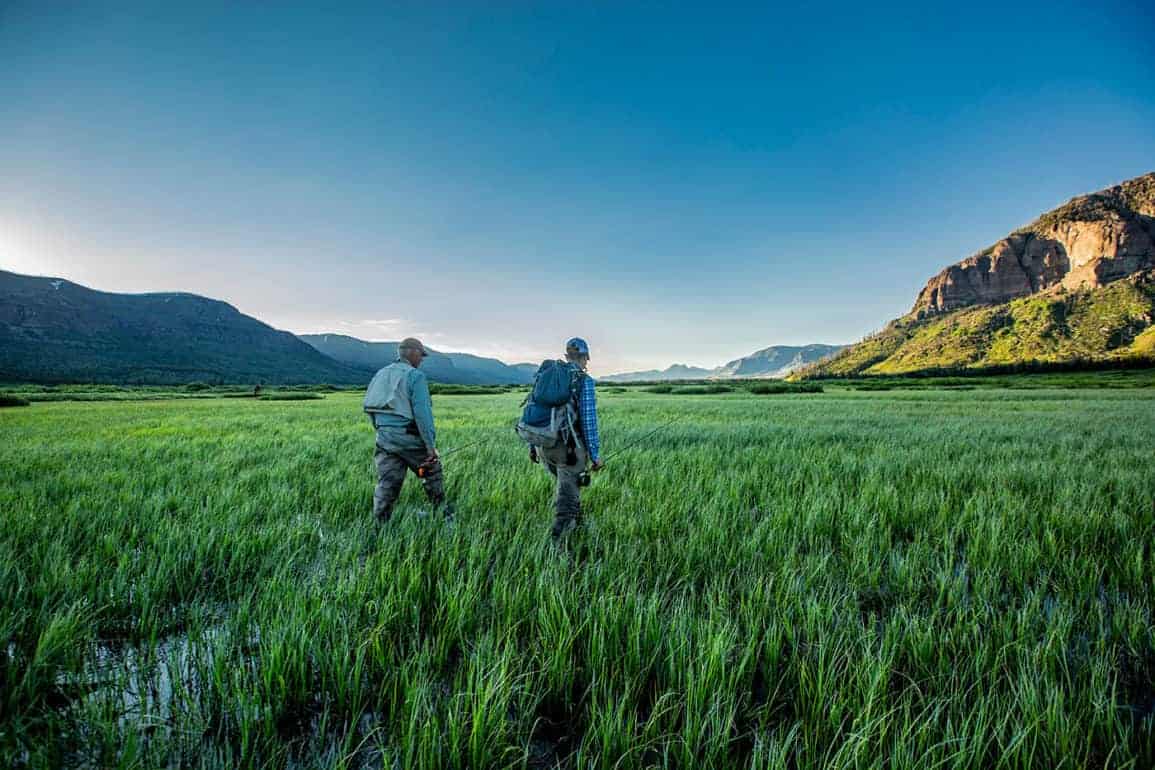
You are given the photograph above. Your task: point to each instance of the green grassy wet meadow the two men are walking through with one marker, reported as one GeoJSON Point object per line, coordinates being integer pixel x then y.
{"type": "Point", "coordinates": [851, 579]}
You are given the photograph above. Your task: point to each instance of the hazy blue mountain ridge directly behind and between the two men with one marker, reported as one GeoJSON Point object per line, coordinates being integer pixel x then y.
{"type": "Point", "coordinates": [457, 369]}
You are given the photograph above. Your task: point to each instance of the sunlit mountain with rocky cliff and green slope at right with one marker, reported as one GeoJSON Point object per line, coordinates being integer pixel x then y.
{"type": "Point", "coordinates": [1078, 285]}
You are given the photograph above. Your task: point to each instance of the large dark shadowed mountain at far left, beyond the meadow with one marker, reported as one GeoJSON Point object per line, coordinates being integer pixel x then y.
{"type": "Point", "coordinates": [55, 331]}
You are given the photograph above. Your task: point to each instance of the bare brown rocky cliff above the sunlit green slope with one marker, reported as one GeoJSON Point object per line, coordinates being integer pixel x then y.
{"type": "Point", "coordinates": [1090, 242]}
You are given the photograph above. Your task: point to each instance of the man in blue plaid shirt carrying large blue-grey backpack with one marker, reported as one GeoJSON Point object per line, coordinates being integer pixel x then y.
{"type": "Point", "coordinates": [560, 424]}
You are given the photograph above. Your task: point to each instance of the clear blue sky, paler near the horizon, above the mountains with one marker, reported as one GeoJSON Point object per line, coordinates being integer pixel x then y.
{"type": "Point", "coordinates": [675, 183]}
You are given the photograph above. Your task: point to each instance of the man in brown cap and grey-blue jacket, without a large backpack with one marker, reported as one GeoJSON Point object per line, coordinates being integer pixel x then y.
{"type": "Point", "coordinates": [398, 402]}
